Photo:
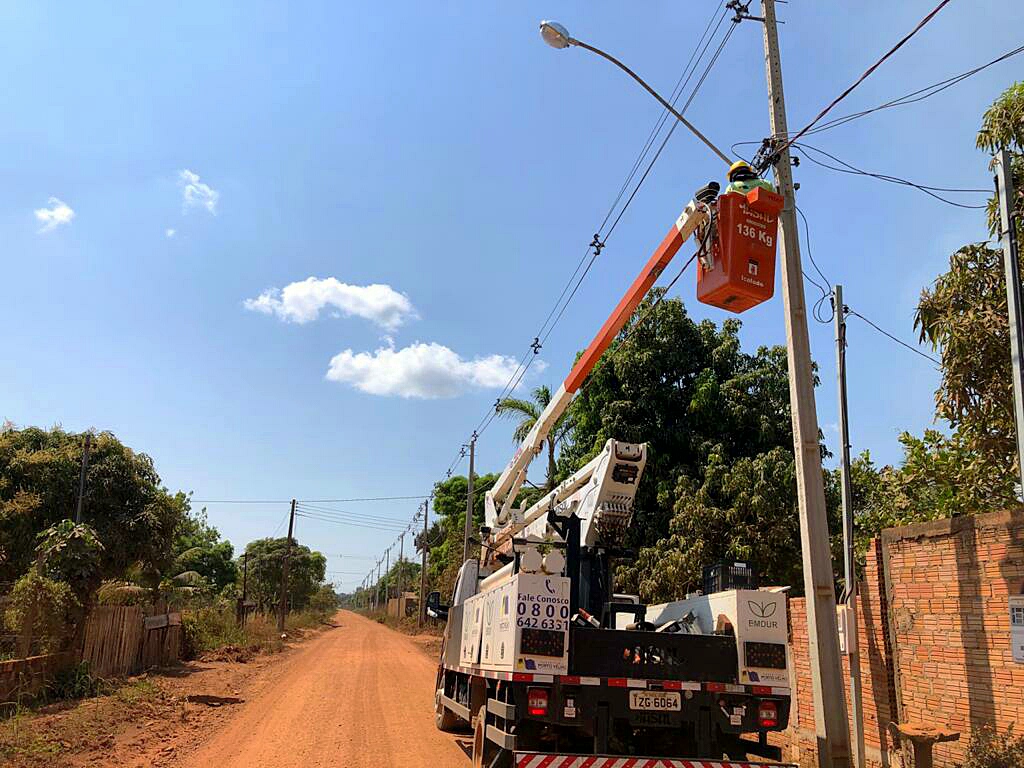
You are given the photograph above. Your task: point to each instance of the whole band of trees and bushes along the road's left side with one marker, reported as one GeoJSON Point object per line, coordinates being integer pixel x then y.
{"type": "Point", "coordinates": [139, 544]}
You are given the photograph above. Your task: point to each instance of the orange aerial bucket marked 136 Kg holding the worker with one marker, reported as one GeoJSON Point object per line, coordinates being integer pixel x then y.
{"type": "Point", "coordinates": [741, 272]}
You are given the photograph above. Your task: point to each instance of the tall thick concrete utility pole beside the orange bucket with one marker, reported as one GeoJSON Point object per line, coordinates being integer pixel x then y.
{"type": "Point", "coordinates": [827, 671]}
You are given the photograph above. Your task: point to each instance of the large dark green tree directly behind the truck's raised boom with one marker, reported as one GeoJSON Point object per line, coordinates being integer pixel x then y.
{"type": "Point", "coordinates": [688, 391]}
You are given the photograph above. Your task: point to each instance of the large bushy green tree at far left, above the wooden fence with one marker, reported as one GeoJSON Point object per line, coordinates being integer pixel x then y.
{"type": "Point", "coordinates": [132, 514]}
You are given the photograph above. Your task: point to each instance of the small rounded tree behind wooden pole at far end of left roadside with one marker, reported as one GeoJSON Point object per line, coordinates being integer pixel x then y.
{"type": "Point", "coordinates": [306, 573]}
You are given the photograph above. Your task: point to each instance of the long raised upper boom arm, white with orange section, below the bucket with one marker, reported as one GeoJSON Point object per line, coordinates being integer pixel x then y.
{"type": "Point", "coordinates": [499, 500]}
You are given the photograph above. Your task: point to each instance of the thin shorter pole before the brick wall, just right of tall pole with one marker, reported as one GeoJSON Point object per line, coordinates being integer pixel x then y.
{"type": "Point", "coordinates": [849, 567]}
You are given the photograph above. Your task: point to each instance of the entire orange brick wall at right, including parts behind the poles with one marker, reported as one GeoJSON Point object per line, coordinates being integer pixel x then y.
{"type": "Point", "coordinates": [934, 630]}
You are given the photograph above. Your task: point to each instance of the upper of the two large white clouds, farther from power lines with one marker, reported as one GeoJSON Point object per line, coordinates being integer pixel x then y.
{"type": "Point", "coordinates": [303, 303]}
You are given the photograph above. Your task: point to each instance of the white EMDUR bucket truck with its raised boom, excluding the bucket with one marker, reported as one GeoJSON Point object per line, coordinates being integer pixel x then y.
{"type": "Point", "coordinates": [550, 667]}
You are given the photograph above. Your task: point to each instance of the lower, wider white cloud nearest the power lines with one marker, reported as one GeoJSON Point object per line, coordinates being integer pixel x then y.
{"type": "Point", "coordinates": [425, 371]}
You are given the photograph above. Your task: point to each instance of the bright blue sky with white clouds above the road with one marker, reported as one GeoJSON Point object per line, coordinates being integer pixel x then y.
{"type": "Point", "coordinates": [442, 153]}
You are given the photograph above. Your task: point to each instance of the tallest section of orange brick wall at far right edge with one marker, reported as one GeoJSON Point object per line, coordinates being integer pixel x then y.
{"type": "Point", "coordinates": [950, 583]}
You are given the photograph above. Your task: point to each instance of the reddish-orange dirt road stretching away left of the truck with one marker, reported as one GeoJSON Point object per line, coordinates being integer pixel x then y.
{"type": "Point", "coordinates": [358, 697]}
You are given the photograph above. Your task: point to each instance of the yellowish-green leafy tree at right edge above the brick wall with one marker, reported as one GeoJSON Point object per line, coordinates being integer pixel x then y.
{"type": "Point", "coordinates": [964, 316]}
